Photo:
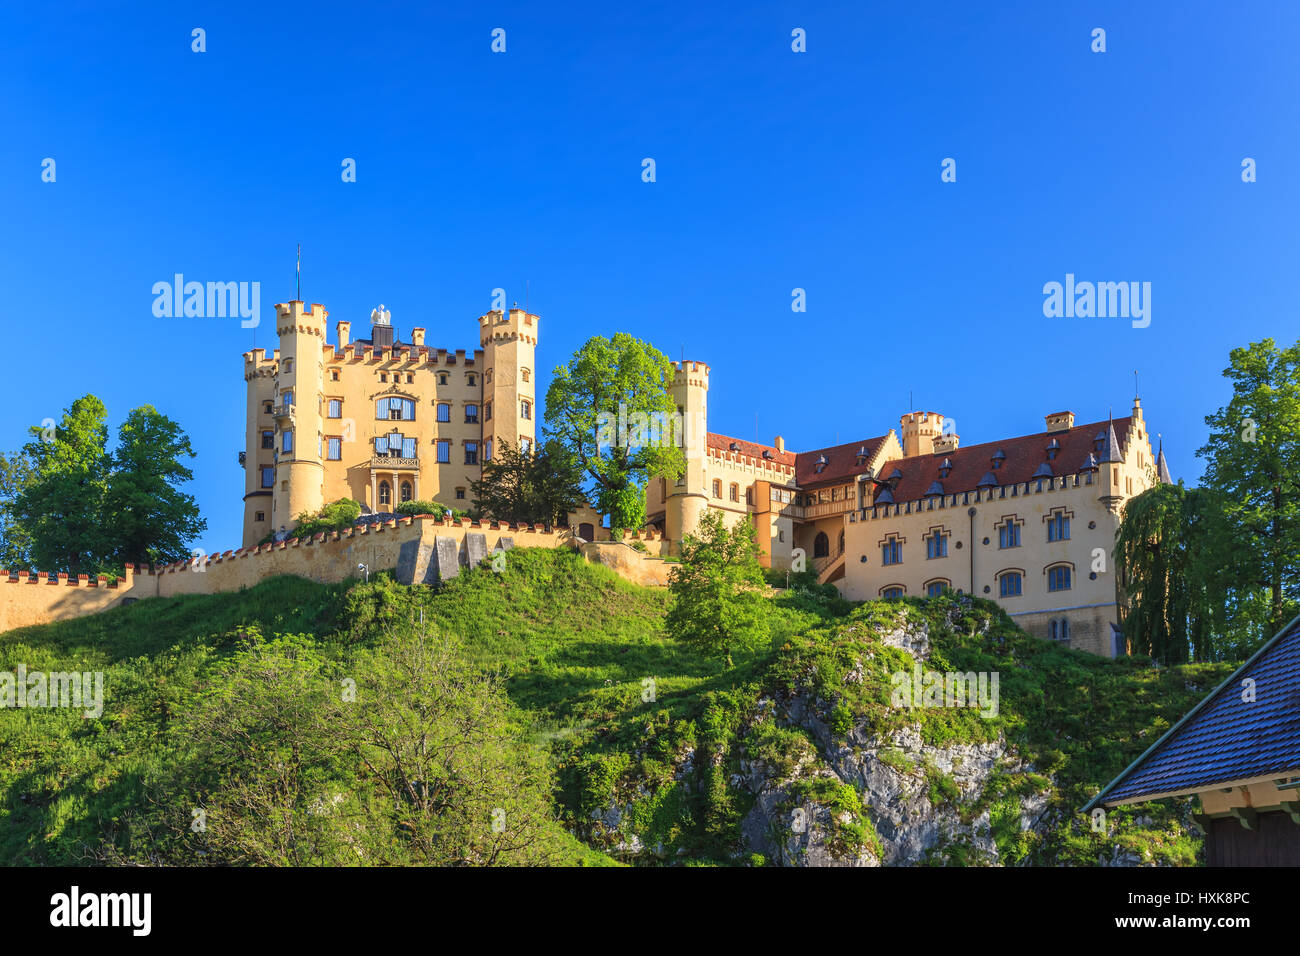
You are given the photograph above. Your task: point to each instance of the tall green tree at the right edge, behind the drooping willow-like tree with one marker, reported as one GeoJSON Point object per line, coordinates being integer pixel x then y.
{"type": "Point", "coordinates": [1254, 464]}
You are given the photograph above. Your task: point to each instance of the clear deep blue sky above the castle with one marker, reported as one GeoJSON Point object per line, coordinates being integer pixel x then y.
{"type": "Point", "coordinates": [774, 171]}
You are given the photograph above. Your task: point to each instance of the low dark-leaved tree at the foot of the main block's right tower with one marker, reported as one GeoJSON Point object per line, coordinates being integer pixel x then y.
{"type": "Point", "coordinates": [518, 487]}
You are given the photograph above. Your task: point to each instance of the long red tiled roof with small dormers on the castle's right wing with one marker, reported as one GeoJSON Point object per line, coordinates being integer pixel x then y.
{"type": "Point", "coordinates": [1024, 457]}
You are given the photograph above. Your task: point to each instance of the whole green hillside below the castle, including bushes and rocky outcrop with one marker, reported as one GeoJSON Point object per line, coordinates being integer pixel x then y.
{"type": "Point", "coordinates": [599, 739]}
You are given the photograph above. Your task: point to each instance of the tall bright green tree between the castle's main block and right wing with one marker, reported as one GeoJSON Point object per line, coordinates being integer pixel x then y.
{"type": "Point", "coordinates": [613, 417]}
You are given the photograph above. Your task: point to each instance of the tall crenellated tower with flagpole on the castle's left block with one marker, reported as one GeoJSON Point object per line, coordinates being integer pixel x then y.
{"type": "Point", "coordinates": [297, 413]}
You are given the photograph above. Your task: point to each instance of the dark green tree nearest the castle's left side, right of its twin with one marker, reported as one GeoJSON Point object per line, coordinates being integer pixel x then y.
{"type": "Point", "coordinates": [146, 517]}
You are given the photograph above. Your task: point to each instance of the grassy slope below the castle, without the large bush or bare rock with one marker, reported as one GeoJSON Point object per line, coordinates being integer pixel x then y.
{"type": "Point", "coordinates": [632, 720]}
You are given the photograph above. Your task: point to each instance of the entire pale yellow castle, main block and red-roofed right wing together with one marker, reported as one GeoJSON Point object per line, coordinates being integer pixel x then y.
{"type": "Point", "coordinates": [1025, 521]}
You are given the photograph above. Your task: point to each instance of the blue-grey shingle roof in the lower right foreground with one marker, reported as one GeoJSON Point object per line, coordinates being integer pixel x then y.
{"type": "Point", "coordinates": [1227, 739]}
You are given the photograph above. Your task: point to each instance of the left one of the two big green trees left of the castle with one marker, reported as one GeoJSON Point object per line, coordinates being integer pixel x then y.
{"type": "Point", "coordinates": [62, 507]}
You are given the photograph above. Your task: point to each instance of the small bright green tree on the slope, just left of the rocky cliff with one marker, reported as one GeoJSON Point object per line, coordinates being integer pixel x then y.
{"type": "Point", "coordinates": [717, 589]}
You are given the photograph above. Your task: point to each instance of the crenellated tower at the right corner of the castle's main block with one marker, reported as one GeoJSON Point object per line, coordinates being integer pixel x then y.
{"type": "Point", "coordinates": [510, 379]}
